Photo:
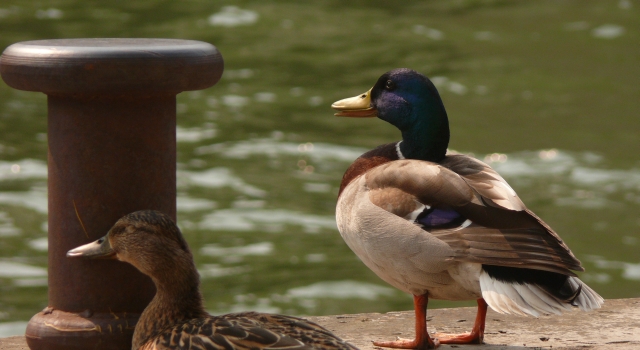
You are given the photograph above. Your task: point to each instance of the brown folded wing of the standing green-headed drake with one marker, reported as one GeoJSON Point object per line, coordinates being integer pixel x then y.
{"type": "Point", "coordinates": [509, 236]}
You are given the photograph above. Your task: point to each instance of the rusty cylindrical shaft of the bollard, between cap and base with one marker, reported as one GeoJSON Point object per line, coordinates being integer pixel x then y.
{"type": "Point", "coordinates": [109, 157]}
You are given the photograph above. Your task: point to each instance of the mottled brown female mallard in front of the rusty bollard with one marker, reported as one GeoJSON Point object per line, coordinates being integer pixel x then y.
{"type": "Point", "coordinates": [175, 318]}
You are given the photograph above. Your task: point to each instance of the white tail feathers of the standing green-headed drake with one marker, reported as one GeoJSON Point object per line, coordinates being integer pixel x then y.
{"type": "Point", "coordinates": [523, 299]}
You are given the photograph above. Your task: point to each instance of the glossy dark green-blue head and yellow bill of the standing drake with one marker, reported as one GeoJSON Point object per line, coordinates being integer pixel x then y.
{"type": "Point", "coordinates": [409, 101]}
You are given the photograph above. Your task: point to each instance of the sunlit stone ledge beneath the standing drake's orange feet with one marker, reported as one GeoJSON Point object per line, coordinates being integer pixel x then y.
{"type": "Point", "coordinates": [615, 326]}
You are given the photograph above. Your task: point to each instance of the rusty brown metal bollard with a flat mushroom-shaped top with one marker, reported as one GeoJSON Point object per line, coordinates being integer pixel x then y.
{"type": "Point", "coordinates": [112, 150]}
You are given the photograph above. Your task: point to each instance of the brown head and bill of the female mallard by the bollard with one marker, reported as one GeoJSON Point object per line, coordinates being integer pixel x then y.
{"type": "Point", "coordinates": [147, 239]}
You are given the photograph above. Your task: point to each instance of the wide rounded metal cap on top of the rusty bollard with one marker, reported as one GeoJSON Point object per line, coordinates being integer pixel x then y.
{"type": "Point", "coordinates": [111, 66]}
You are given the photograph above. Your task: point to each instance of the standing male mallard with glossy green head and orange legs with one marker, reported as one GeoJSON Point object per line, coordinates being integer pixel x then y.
{"type": "Point", "coordinates": [447, 226]}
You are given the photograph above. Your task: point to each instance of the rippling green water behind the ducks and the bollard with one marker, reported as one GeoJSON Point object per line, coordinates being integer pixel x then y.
{"type": "Point", "coordinates": [549, 88]}
